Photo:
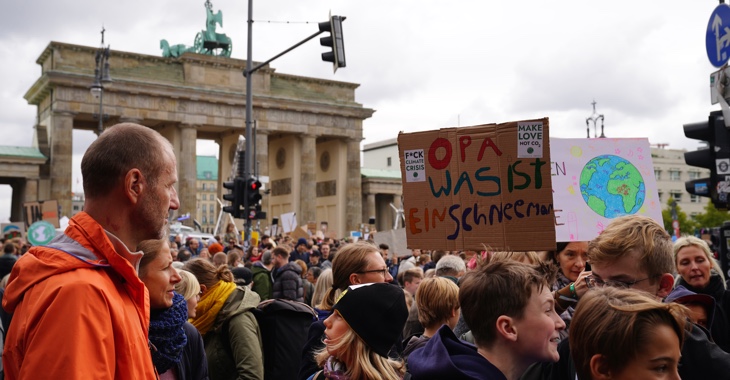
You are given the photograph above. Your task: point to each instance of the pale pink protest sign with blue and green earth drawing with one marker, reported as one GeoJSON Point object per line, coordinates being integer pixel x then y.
{"type": "Point", "coordinates": [597, 180]}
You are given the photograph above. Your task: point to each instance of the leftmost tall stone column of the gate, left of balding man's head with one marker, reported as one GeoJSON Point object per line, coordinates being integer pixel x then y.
{"type": "Point", "coordinates": [60, 160]}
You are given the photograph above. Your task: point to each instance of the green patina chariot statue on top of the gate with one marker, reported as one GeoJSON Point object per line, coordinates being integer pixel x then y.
{"type": "Point", "coordinates": [206, 41]}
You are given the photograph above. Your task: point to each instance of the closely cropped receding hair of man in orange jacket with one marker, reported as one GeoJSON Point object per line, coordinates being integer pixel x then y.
{"type": "Point", "coordinates": [119, 149]}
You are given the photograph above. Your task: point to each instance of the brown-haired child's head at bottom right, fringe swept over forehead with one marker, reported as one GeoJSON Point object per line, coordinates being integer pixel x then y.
{"type": "Point", "coordinates": [621, 333]}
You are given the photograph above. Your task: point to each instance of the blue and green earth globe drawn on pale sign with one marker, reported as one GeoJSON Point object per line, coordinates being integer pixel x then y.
{"type": "Point", "coordinates": [612, 186]}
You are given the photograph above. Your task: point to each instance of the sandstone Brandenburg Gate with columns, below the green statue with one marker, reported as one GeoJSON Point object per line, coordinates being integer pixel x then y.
{"type": "Point", "coordinates": [308, 130]}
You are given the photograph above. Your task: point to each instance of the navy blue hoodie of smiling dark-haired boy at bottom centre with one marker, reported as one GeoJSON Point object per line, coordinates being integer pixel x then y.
{"type": "Point", "coordinates": [446, 357]}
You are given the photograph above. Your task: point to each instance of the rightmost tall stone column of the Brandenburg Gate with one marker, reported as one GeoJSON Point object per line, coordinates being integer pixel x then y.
{"type": "Point", "coordinates": [353, 196]}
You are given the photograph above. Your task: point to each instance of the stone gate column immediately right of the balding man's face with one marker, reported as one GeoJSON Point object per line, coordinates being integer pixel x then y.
{"type": "Point", "coordinates": [187, 172]}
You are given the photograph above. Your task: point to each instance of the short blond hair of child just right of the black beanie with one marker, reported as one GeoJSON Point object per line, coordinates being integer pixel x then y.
{"type": "Point", "coordinates": [436, 298]}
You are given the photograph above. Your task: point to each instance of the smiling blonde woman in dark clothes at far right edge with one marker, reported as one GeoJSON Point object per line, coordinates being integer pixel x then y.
{"type": "Point", "coordinates": [700, 273]}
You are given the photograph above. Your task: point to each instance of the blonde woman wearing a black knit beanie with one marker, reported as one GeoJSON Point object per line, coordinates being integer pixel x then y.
{"type": "Point", "coordinates": [366, 322]}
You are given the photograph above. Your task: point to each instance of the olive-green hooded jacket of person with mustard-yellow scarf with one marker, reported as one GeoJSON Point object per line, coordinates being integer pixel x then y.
{"type": "Point", "coordinates": [233, 346]}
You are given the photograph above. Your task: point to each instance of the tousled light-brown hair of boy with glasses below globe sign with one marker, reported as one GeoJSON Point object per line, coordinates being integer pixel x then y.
{"type": "Point", "coordinates": [635, 233]}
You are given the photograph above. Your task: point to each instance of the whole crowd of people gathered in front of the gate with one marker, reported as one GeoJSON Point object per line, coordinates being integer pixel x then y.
{"type": "Point", "coordinates": [116, 297]}
